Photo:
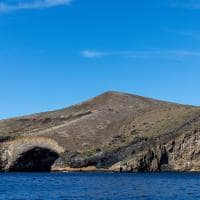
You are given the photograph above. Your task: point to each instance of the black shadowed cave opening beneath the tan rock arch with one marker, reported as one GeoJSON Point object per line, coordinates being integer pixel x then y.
{"type": "Point", "coordinates": [35, 160]}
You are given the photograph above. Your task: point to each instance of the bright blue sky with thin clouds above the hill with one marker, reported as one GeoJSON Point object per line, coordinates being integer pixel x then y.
{"type": "Point", "coordinates": [54, 53]}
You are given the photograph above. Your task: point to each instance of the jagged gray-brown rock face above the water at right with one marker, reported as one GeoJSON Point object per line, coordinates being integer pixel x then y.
{"type": "Point", "coordinates": [180, 154]}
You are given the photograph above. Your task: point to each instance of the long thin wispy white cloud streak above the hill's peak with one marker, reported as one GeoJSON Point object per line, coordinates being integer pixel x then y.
{"type": "Point", "coordinates": [154, 53]}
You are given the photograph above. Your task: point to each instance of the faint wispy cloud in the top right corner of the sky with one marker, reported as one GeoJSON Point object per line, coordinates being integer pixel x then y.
{"type": "Point", "coordinates": [187, 4]}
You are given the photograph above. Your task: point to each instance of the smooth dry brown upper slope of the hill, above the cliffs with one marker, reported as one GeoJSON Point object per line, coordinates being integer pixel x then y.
{"type": "Point", "coordinates": [105, 122]}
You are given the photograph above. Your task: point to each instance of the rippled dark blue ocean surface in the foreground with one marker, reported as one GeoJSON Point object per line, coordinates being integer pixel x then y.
{"type": "Point", "coordinates": [99, 186]}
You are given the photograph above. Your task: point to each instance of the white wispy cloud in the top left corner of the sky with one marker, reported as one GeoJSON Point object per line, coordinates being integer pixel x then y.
{"type": "Point", "coordinates": [6, 6]}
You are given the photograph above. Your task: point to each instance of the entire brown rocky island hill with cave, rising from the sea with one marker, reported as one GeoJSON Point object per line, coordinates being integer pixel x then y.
{"type": "Point", "coordinates": [114, 131]}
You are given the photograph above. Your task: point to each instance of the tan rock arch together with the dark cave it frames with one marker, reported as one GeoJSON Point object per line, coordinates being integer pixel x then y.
{"type": "Point", "coordinates": [31, 154]}
